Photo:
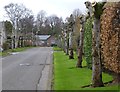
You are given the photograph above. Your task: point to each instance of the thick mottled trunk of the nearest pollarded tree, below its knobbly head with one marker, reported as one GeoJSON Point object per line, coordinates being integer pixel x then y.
{"type": "Point", "coordinates": [96, 68]}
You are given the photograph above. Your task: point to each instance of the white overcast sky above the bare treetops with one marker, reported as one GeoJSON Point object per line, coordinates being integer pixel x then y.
{"type": "Point", "coordinates": [62, 8]}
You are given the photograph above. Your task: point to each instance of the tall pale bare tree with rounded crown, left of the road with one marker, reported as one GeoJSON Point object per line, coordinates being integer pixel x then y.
{"type": "Point", "coordinates": [15, 12]}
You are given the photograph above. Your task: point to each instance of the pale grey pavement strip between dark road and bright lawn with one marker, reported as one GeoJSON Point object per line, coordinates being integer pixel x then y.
{"type": "Point", "coordinates": [46, 78]}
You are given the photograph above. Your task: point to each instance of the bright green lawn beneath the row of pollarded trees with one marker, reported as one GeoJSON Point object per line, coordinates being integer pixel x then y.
{"type": "Point", "coordinates": [68, 77]}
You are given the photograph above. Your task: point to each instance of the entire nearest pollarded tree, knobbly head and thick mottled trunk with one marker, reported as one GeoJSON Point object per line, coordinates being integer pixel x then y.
{"type": "Point", "coordinates": [95, 11]}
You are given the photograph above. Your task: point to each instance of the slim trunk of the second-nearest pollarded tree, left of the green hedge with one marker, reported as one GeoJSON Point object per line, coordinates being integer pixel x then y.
{"type": "Point", "coordinates": [80, 48]}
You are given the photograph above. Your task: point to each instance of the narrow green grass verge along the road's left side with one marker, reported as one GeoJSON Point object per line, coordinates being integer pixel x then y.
{"type": "Point", "coordinates": [7, 52]}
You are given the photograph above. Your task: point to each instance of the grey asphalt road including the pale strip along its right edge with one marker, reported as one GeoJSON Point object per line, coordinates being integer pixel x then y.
{"type": "Point", "coordinates": [28, 70]}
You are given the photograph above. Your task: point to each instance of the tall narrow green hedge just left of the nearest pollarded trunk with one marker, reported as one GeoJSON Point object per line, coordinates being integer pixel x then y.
{"type": "Point", "coordinates": [88, 43]}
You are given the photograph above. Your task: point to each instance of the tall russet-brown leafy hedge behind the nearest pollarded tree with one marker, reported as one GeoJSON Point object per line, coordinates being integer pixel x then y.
{"type": "Point", "coordinates": [110, 40]}
